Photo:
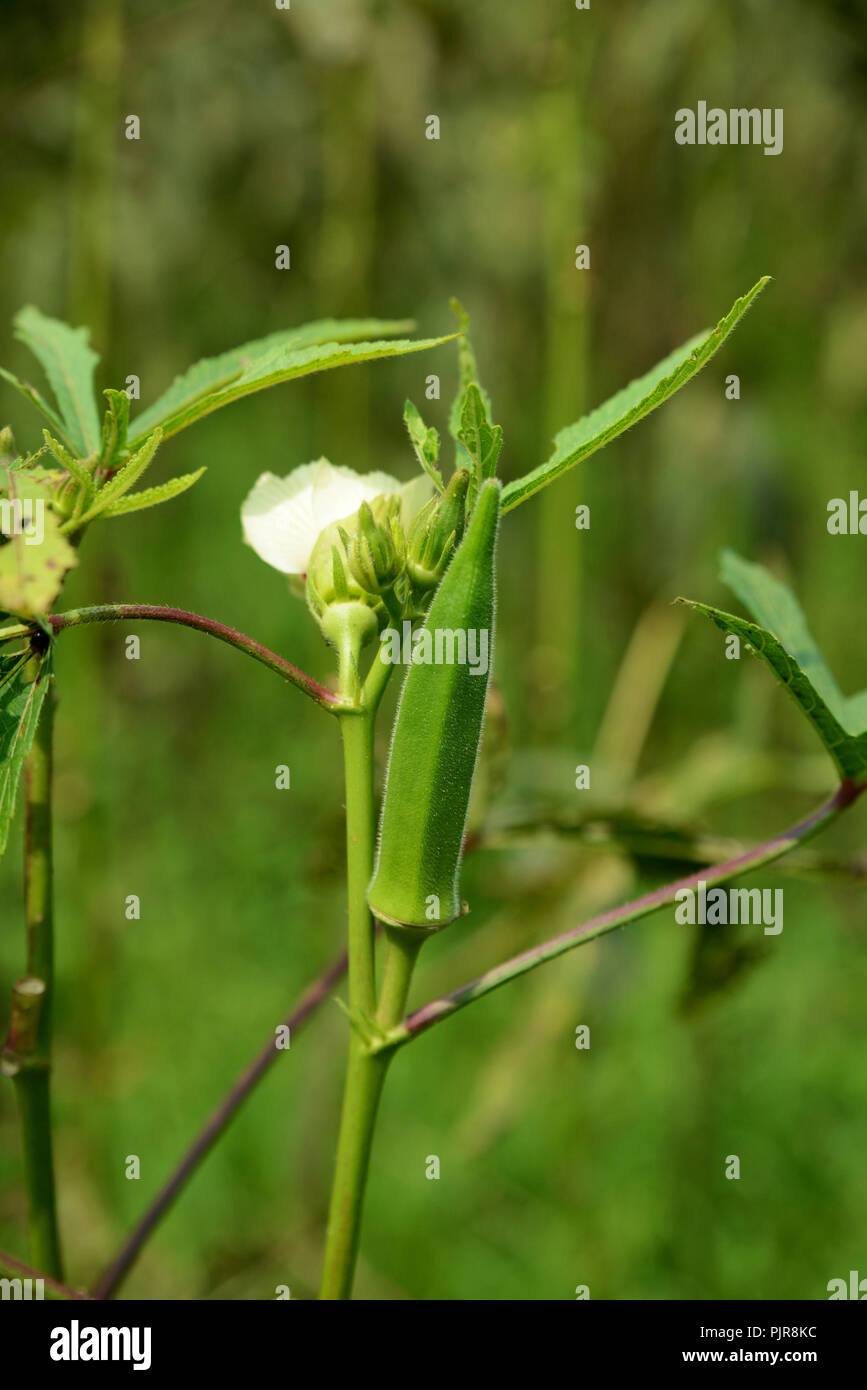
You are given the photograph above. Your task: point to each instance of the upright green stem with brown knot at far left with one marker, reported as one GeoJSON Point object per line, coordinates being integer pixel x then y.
{"type": "Point", "coordinates": [33, 1072]}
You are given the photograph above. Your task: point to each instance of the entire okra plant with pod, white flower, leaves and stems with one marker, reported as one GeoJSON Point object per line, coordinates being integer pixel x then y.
{"type": "Point", "coordinates": [395, 575]}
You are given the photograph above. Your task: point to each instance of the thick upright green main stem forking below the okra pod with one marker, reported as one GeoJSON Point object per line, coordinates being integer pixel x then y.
{"type": "Point", "coordinates": [365, 1074]}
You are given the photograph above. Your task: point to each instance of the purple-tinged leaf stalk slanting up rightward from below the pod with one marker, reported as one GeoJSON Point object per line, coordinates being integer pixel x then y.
{"type": "Point", "coordinates": [765, 854]}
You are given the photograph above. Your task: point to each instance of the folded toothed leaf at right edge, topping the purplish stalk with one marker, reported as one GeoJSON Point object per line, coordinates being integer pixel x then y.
{"type": "Point", "coordinates": [793, 657]}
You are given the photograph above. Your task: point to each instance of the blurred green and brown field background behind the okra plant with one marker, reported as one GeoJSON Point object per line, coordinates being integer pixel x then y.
{"type": "Point", "coordinates": [308, 127]}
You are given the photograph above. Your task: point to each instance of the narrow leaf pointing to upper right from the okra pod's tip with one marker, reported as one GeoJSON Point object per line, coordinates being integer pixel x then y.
{"type": "Point", "coordinates": [629, 407]}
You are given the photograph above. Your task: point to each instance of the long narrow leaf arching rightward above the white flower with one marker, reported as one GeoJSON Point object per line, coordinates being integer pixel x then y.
{"type": "Point", "coordinates": [215, 375]}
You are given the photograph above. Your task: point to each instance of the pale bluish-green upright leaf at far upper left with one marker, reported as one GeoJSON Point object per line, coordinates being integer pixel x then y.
{"type": "Point", "coordinates": [69, 363]}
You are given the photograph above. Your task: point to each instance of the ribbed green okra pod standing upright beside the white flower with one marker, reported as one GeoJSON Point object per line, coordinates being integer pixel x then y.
{"type": "Point", "coordinates": [437, 736]}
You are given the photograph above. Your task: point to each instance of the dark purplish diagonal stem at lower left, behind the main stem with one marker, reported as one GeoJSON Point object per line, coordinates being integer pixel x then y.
{"type": "Point", "coordinates": [202, 1146]}
